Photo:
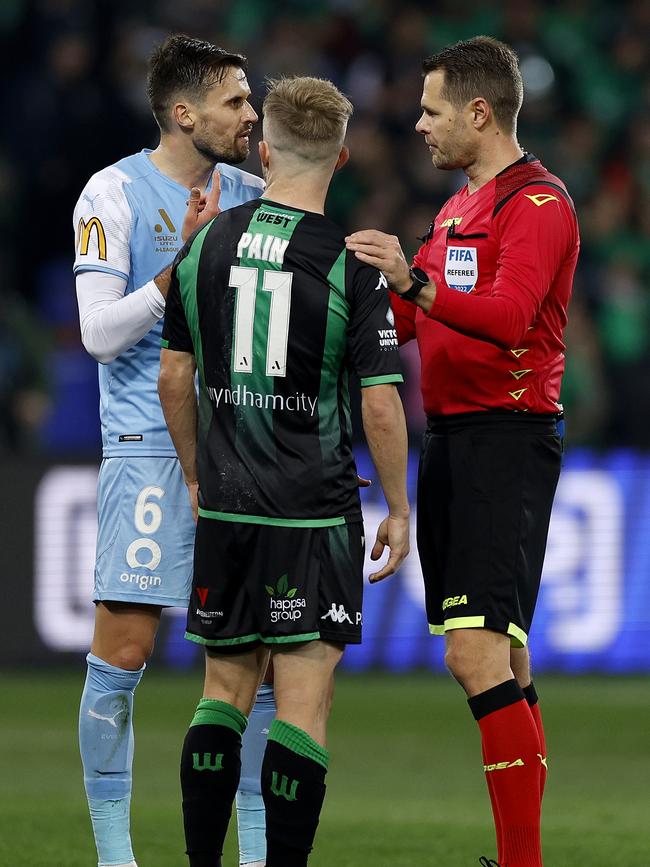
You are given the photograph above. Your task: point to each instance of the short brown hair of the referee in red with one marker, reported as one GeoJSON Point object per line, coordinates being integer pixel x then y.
{"type": "Point", "coordinates": [484, 67]}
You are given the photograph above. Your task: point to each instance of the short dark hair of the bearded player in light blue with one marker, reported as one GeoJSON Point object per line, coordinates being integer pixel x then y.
{"type": "Point", "coordinates": [183, 66]}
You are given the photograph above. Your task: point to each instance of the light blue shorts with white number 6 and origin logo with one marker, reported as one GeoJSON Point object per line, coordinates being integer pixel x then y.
{"type": "Point", "coordinates": [145, 539]}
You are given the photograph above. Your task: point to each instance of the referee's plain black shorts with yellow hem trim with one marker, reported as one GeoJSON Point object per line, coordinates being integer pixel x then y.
{"type": "Point", "coordinates": [486, 484]}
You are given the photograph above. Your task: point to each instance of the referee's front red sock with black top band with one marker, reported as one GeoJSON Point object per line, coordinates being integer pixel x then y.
{"type": "Point", "coordinates": [510, 750]}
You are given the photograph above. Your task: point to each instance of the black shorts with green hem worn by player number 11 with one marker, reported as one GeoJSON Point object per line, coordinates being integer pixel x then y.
{"type": "Point", "coordinates": [256, 583]}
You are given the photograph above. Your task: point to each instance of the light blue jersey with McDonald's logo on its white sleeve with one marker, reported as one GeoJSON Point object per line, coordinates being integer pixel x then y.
{"type": "Point", "coordinates": [128, 222]}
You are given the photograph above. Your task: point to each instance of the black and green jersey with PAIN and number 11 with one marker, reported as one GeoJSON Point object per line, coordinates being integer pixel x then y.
{"type": "Point", "coordinates": [277, 314]}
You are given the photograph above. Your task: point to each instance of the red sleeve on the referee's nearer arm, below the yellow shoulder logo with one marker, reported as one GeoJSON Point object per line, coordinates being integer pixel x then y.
{"type": "Point", "coordinates": [534, 240]}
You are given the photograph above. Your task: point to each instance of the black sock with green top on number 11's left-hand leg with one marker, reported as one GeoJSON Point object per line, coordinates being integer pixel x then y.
{"type": "Point", "coordinates": [210, 769]}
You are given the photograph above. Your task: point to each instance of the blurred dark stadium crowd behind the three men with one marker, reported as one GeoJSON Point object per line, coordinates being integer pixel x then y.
{"type": "Point", "coordinates": [74, 100]}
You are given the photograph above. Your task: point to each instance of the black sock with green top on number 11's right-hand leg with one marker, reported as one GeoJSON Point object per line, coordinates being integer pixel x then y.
{"type": "Point", "coordinates": [293, 787]}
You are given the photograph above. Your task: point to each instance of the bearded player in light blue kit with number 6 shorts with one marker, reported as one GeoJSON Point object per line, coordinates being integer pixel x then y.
{"type": "Point", "coordinates": [130, 221]}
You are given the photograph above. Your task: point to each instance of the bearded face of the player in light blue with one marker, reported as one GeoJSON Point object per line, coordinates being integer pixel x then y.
{"type": "Point", "coordinates": [225, 121]}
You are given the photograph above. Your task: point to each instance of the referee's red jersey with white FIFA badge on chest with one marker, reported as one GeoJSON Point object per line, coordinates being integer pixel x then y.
{"type": "Point", "coordinates": [503, 260]}
